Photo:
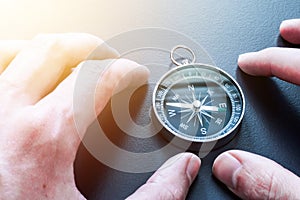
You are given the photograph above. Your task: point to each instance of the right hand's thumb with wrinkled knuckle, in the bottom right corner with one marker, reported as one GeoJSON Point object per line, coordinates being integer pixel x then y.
{"type": "Point", "coordinates": [252, 176]}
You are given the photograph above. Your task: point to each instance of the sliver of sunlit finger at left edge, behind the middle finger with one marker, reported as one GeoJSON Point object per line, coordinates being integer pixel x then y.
{"type": "Point", "coordinates": [8, 50]}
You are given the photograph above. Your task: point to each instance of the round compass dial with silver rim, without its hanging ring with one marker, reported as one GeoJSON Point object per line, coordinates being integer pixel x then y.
{"type": "Point", "coordinates": [198, 103]}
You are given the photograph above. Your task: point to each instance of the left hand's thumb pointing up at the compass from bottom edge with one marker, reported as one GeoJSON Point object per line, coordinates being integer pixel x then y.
{"type": "Point", "coordinates": [172, 180]}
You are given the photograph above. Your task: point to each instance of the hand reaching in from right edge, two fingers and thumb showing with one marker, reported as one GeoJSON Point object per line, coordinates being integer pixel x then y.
{"type": "Point", "coordinates": [252, 176]}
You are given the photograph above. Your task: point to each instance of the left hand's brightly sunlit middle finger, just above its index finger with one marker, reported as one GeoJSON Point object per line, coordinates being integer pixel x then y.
{"type": "Point", "coordinates": [36, 70]}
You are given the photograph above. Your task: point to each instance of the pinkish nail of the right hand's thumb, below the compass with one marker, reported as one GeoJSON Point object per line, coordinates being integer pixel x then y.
{"type": "Point", "coordinates": [225, 167]}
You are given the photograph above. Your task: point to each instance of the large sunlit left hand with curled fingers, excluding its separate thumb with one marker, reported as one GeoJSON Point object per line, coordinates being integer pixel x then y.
{"type": "Point", "coordinates": [39, 139]}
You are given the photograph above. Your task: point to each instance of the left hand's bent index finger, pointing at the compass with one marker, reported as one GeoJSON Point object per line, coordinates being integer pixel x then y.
{"type": "Point", "coordinates": [80, 98]}
